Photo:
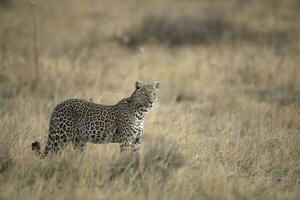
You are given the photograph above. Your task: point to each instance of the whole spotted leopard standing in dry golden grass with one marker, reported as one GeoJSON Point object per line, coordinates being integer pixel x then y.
{"type": "Point", "coordinates": [79, 122]}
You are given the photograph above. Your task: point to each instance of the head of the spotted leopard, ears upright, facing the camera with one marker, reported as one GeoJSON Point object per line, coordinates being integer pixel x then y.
{"type": "Point", "coordinates": [145, 95]}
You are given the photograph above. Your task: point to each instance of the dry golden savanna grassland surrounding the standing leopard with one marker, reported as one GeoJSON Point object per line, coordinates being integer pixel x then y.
{"type": "Point", "coordinates": [228, 122]}
